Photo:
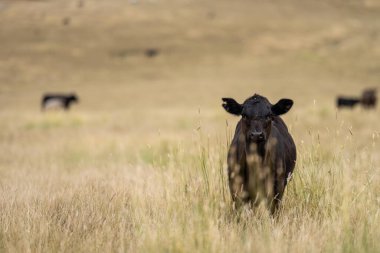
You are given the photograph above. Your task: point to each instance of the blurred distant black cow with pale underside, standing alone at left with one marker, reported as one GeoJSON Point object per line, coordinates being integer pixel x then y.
{"type": "Point", "coordinates": [58, 101]}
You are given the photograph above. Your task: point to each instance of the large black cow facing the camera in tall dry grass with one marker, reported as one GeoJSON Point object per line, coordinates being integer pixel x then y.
{"type": "Point", "coordinates": [262, 154]}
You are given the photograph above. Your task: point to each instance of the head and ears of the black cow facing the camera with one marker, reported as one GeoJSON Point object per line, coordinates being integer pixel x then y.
{"type": "Point", "coordinates": [257, 115]}
